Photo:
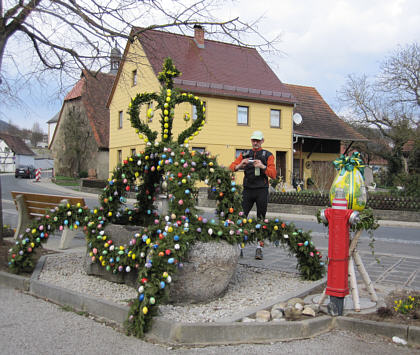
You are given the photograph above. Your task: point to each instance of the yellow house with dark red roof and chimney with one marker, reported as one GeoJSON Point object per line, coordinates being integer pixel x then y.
{"type": "Point", "coordinates": [240, 91]}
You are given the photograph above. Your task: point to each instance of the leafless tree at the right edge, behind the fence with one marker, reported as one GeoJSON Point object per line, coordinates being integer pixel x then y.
{"type": "Point", "coordinates": [388, 103]}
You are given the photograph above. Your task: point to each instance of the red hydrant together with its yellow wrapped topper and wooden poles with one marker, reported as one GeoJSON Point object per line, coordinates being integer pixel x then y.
{"type": "Point", "coordinates": [347, 195]}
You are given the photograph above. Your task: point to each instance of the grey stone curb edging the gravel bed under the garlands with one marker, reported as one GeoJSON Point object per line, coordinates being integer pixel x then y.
{"type": "Point", "coordinates": [226, 331]}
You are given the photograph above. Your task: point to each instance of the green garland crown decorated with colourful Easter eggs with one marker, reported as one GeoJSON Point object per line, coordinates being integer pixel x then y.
{"type": "Point", "coordinates": [157, 250]}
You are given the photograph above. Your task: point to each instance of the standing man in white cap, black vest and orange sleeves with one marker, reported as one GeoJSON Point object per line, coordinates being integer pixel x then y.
{"type": "Point", "coordinates": [258, 165]}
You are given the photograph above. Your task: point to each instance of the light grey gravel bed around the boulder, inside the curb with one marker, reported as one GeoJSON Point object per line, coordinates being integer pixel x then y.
{"type": "Point", "coordinates": [250, 287]}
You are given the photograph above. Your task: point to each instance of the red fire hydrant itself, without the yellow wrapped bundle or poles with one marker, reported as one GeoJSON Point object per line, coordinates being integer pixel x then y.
{"type": "Point", "coordinates": [339, 220]}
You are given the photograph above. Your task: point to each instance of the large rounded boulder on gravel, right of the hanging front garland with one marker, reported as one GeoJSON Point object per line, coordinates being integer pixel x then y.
{"type": "Point", "coordinates": [206, 272]}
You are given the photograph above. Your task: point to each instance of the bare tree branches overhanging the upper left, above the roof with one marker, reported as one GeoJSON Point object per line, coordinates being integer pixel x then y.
{"type": "Point", "coordinates": [66, 36]}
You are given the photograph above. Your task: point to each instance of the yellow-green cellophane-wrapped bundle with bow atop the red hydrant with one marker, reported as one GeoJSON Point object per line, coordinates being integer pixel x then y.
{"type": "Point", "coordinates": [351, 180]}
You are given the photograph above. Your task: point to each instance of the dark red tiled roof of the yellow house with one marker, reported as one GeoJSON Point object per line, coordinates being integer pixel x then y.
{"type": "Point", "coordinates": [219, 68]}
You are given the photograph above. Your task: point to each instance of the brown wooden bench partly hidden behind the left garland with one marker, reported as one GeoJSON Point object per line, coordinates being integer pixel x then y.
{"type": "Point", "coordinates": [31, 206]}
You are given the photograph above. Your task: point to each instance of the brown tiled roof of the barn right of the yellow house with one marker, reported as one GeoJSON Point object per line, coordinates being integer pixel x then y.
{"type": "Point", "coordinates": [319, 120]}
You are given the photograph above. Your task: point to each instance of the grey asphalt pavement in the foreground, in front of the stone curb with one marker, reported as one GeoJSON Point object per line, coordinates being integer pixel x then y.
{"type": "Point", "coordinates": [32, 326]}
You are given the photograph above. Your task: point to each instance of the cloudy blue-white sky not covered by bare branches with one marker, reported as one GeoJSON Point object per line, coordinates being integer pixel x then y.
{"type": "Point", "coordinates": [321, 43]}
